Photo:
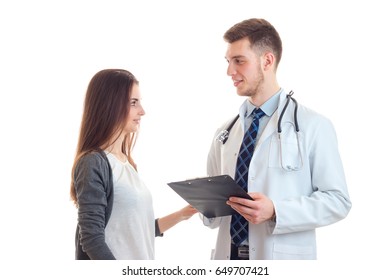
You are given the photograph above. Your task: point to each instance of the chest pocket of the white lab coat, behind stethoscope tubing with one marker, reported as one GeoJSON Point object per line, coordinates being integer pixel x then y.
{"type": "Point", "coordinates": [285, 152]}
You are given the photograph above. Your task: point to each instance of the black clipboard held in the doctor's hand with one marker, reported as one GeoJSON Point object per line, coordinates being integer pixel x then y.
{"type": "Point", "coordinates": [209, 194]}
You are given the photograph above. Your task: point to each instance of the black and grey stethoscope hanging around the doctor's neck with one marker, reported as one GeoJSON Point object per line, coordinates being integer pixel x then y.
{"type": "Point", "coordinates": [223, 136]}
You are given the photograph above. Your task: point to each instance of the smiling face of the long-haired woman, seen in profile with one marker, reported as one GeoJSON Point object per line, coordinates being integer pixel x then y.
{"type": "Point", "coordinates": [136, 111]}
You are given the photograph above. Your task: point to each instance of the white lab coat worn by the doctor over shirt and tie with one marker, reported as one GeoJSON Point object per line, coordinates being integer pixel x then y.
{"type": "Point", "coordinates": [312, 197]}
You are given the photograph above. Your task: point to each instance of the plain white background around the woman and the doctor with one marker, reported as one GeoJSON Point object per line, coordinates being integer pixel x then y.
{"type": "Point", "coordinates": [335, 58]}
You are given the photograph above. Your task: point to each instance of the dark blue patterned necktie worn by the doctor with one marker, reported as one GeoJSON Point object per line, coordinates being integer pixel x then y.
{"type": "Point", "coordinates": [239, 226]}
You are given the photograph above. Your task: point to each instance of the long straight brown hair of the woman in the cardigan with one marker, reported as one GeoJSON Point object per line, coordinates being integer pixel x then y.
{"type": "Point", "coordinates": [106, 107]}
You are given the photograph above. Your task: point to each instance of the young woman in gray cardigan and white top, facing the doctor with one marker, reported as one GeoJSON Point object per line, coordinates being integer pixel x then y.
{"type": "Point", "coordinates": [115, 212]}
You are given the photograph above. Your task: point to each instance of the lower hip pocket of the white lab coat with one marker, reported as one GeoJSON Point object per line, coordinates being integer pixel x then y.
{"type": "Point", "coordinates": [293, 252]}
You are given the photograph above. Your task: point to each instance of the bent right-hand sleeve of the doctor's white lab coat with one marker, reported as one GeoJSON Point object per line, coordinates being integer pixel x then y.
{"type": "Point", "coordinates": [329, 200]}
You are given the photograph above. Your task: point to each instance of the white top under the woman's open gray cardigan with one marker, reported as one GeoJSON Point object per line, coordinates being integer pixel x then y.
{"type": "Point", "coordinates": [130, 231]}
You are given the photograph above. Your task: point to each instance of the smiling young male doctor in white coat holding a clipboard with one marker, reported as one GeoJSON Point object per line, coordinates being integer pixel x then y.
{"type": "Point", "coordinates": [295, 176]}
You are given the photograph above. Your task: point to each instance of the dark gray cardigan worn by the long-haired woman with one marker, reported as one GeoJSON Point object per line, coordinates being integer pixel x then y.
{"type": "Point", "coordinates": [94, 190]}
